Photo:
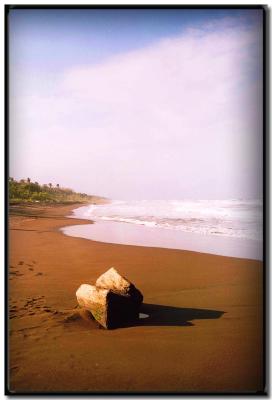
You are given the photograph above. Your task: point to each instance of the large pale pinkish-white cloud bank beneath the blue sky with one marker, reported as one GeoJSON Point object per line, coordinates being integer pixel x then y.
{"type": "Point", "coordinates": [183, 114]}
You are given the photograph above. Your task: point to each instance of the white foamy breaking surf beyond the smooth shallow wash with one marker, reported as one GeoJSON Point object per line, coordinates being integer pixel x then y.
{"type": "Point", "coordinates": [227, 218]}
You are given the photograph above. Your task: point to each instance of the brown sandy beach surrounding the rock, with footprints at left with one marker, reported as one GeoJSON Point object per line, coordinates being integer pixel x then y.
{"type": "Point", "coordinates": [204, 332]}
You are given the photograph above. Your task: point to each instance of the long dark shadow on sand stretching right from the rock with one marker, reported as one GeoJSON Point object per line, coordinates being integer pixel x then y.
{"type": "Point", "coordinates": [159, 315]}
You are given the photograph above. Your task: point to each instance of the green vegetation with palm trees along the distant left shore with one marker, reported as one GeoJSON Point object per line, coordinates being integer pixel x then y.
{"type": "Point", "coordinates": [32, 192]}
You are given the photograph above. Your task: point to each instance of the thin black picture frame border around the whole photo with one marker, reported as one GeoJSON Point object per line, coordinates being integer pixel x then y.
{"type": "Point", "coordinates": [266, 185]}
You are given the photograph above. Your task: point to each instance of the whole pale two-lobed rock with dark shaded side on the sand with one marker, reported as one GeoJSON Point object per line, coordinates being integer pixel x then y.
{"type": "Point", "coordinates": [113, 302]}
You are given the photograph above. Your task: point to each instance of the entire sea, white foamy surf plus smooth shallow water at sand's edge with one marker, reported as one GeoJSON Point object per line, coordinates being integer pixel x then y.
{"type": "Point", "coordinates": [231, 227]}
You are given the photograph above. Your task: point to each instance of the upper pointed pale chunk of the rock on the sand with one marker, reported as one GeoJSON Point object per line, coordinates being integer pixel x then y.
{"type": "Point", "coordinates": [112, 280]}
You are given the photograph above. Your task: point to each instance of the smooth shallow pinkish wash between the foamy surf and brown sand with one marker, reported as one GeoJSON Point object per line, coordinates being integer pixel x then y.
{"type": "Point", "coordinates": [129, 234]}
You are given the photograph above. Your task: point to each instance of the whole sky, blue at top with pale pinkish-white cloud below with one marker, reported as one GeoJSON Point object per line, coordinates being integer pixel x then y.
{"type": "Point", "coordinates": [138, 104]}
